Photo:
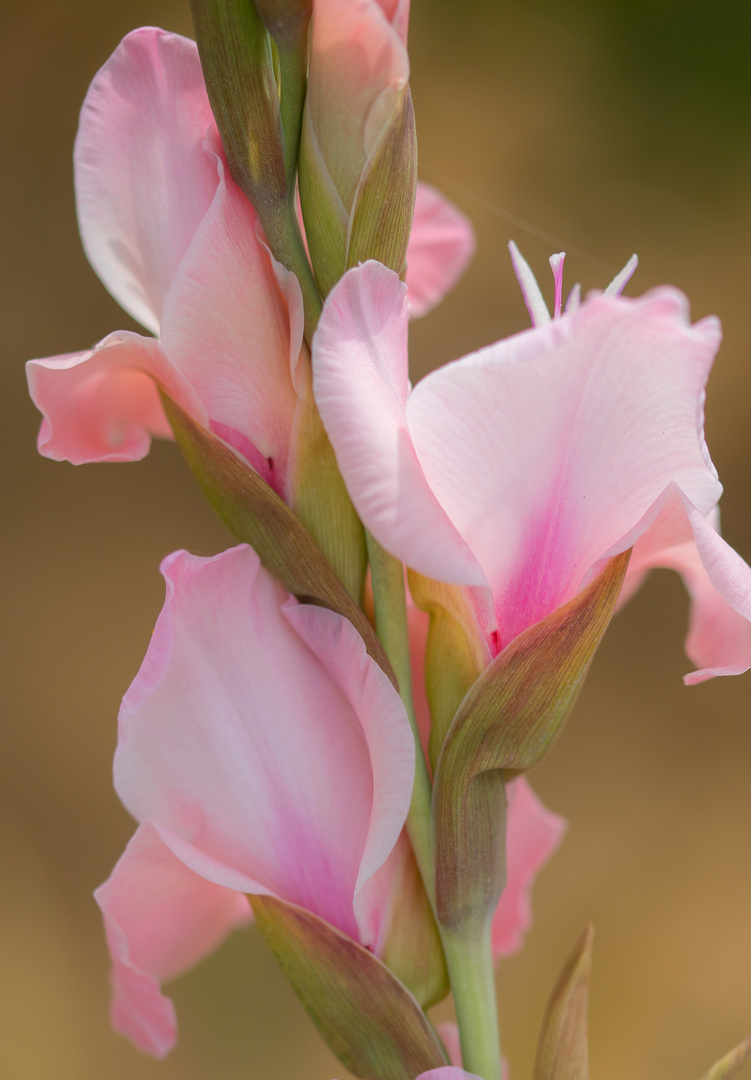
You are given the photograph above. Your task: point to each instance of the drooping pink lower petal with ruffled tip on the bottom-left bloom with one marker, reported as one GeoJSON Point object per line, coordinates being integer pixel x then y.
{"type": "Point", "coordinates": [160, 920]}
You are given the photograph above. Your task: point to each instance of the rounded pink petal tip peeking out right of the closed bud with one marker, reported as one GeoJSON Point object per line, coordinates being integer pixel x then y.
{"type": "Point", "coordinates": [441, 246]}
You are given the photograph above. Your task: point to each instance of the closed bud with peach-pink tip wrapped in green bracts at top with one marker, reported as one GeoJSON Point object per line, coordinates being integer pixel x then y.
{"type": "Point", "coordinates": [358, 167]}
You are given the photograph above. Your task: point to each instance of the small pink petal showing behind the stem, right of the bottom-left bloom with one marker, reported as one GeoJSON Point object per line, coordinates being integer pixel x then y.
{"type": "Point", "coordinates": [533, 835]}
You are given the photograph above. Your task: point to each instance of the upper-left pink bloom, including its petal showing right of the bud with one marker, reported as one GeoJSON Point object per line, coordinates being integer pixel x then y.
{"type": "Point", "coordinates": [180, 248]}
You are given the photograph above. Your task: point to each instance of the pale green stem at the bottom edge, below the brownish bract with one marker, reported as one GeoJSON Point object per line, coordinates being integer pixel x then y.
{"type": "Point", "coordinates": [473, 983]}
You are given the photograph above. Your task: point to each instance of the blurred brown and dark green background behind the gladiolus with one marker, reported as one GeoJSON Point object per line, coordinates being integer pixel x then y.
{"type": "Point", "coordinates": [614, 127]}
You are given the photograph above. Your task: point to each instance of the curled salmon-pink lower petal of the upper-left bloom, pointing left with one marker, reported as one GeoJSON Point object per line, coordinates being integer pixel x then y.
{"type": "Point", "coordinates": [103, 406]}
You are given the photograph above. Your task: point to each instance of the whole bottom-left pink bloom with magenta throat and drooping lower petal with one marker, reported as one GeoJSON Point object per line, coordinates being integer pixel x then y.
{"type": "Point", "coordinates": [263, 752]}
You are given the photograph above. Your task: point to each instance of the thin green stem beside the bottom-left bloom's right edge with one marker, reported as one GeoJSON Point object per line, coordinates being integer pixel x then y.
{"type": "Point", "coordinates": [391, 612]}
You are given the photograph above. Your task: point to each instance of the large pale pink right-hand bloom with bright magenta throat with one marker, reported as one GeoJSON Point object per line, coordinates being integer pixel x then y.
{"type": "Point", "coordinates": [519, 470]}
